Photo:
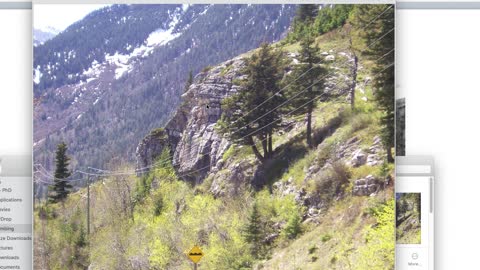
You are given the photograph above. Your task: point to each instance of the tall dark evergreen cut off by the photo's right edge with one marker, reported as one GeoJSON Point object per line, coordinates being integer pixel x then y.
{"type": "Point", "coordinates": [379, 34]}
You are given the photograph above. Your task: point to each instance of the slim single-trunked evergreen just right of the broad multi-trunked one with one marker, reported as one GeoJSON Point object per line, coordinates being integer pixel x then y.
{"type": "Point", "coordinates": [310, 85]}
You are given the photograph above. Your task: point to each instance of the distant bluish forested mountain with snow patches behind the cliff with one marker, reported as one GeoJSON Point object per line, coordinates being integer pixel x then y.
{"type": "Point", "coordinates": [102, 91]}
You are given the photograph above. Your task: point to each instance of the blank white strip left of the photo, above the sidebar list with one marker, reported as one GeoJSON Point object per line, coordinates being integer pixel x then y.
{"type": "Point", "coordinates": [15, 82]}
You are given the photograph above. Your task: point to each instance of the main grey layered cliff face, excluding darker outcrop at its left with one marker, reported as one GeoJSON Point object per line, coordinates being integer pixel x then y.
{"type": "Point", "coordinates": [200, 147]}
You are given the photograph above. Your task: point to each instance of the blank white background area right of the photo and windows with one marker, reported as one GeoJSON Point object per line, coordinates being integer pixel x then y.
{"type": "Point", "coordinates": [438, 71]}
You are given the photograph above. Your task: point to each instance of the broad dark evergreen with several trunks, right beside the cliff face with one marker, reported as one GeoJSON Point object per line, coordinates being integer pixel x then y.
{"type": "Point", "coordinates": [250, 116]}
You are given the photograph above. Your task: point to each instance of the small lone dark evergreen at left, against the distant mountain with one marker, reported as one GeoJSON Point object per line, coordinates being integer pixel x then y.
{"type": "Point", "coordinates": [61, 187]}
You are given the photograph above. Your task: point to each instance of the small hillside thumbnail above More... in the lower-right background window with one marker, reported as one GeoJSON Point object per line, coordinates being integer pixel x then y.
{"type": "Point", "coordinates": [408, 218]}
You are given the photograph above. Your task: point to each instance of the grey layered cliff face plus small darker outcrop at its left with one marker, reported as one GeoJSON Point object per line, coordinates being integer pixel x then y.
{"type": "Point", "coordinates": [191, 133]}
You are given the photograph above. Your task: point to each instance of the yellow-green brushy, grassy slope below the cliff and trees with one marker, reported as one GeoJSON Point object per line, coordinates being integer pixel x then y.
{"type": "Point", "coordinates": [169, 216]}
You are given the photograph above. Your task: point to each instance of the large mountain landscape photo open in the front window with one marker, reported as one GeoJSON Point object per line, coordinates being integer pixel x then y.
{"type": "Point", "coordinates": [261, 134]}
